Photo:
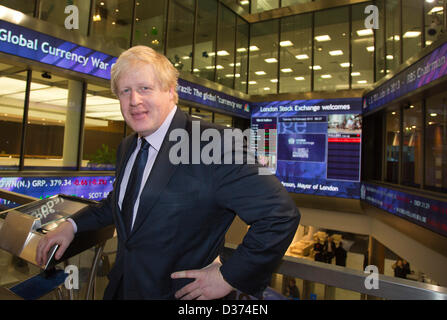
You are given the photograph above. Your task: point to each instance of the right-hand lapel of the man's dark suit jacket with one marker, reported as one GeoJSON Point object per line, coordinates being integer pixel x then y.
{"type": "Point", "coordinates": [161, 173]}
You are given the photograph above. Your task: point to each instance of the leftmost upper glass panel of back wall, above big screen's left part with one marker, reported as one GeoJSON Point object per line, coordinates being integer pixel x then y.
{"type": "Point", "coordinates": [263, 76]}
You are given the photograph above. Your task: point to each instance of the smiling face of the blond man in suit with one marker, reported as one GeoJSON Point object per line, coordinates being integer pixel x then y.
{"type": "Point", "coordinates": [144, 104]}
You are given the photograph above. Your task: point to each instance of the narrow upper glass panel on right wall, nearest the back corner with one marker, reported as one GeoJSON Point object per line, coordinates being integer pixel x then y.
{"type": "Point", "coordinates": [392, 35]}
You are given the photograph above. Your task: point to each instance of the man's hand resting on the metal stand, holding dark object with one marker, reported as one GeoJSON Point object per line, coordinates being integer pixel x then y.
{"type": "Point", "coordinates": [63, 235]}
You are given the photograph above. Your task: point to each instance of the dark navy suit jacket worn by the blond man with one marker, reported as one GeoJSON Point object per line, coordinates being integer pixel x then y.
{"type": "Point", "coordinates": [184, 213]}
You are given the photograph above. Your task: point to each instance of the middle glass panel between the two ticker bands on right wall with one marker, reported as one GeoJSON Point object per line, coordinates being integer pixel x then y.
{"type": "Point", "coordinates": [412, 145]}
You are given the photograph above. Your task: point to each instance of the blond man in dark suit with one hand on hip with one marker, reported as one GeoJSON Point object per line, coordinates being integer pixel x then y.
{"type": "Point", "coordinates": [171, 218]}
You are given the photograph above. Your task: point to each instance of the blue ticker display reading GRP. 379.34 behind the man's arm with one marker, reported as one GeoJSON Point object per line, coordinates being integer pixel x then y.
{"type": "Point", "coordinates": [92, 188]}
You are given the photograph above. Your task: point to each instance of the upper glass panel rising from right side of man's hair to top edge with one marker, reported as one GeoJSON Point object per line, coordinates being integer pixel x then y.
{"type": "Point", "coordinates": [180, 32]}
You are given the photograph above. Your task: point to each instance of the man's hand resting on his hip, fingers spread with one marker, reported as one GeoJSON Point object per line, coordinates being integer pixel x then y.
{"type": "Point", "coordinates": [209, 283]}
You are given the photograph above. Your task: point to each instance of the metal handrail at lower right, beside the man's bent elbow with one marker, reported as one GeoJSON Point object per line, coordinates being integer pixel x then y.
{"type": "Point", "coordinates": [390, 288]}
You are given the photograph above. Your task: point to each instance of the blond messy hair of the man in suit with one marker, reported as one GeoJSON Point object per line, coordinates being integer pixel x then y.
{"type": "Point", "coordinates": [165, 73]}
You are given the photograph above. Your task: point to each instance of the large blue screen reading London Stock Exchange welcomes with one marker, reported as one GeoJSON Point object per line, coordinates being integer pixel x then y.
{"type": "Point", "coordinates": [313, 146]}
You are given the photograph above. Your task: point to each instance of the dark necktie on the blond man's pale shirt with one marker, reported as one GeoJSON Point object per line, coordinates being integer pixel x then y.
{"type": "Point", "coordinates": [134, 184]}
